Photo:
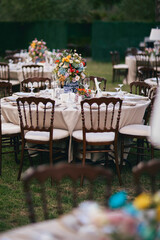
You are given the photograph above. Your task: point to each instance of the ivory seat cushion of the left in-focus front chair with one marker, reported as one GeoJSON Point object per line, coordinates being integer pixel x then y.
{"type": "Point", "coordinates": [44, 136]}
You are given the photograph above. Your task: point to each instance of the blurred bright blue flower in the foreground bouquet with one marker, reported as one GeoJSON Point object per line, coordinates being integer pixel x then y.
{"type": "Point", "coordinates": [118, 200]}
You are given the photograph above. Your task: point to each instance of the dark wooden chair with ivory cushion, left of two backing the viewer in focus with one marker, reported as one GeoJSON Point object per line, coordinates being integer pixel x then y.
{"type": "Point", "coordinates": [36, 121]}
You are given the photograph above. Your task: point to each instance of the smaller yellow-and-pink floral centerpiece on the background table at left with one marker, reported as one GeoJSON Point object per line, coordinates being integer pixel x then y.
{"type": "Point", "coordinates": [37, 50]}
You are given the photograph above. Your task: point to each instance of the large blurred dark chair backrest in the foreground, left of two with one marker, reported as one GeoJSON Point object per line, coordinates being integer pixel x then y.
{"type": "Point", "coordinates": [58, 173]}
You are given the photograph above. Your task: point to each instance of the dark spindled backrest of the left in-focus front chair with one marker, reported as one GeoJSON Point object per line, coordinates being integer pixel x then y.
{"type": "Point", "coordinates": [36, 114]}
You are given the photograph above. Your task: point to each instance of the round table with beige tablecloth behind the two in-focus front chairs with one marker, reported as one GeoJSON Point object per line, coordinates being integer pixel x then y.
{"type": "Point", "coordinates": [68, 116]}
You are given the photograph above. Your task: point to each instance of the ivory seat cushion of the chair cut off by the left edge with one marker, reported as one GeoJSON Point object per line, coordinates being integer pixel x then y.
{"type": "Point", "coordinates": [10, 128]}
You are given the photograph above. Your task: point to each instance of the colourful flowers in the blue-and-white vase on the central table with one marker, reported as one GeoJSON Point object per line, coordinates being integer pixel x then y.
{"type": "Point", "coordinates": [70, 66]}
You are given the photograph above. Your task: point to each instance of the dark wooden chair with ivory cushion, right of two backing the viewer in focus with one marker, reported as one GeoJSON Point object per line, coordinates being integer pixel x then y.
{"type": "Point", "coordinates": [100, 123]}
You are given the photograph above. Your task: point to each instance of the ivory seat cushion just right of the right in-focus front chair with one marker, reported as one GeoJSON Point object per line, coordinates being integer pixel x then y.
{"type": "Point", "coordinates": [136, 130]}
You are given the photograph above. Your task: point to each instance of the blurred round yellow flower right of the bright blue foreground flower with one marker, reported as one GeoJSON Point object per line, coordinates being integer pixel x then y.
{"type": "Point", "coordinates": [143, 201]}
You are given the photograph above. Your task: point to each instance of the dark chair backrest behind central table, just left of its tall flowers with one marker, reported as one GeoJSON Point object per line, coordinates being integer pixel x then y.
{"type": "Point", "coordinates": [39, 83]}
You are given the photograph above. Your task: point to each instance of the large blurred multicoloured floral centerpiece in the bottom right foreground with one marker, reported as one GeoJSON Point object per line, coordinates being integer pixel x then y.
{"type": "Point", "coordinates": [122, 220]}
